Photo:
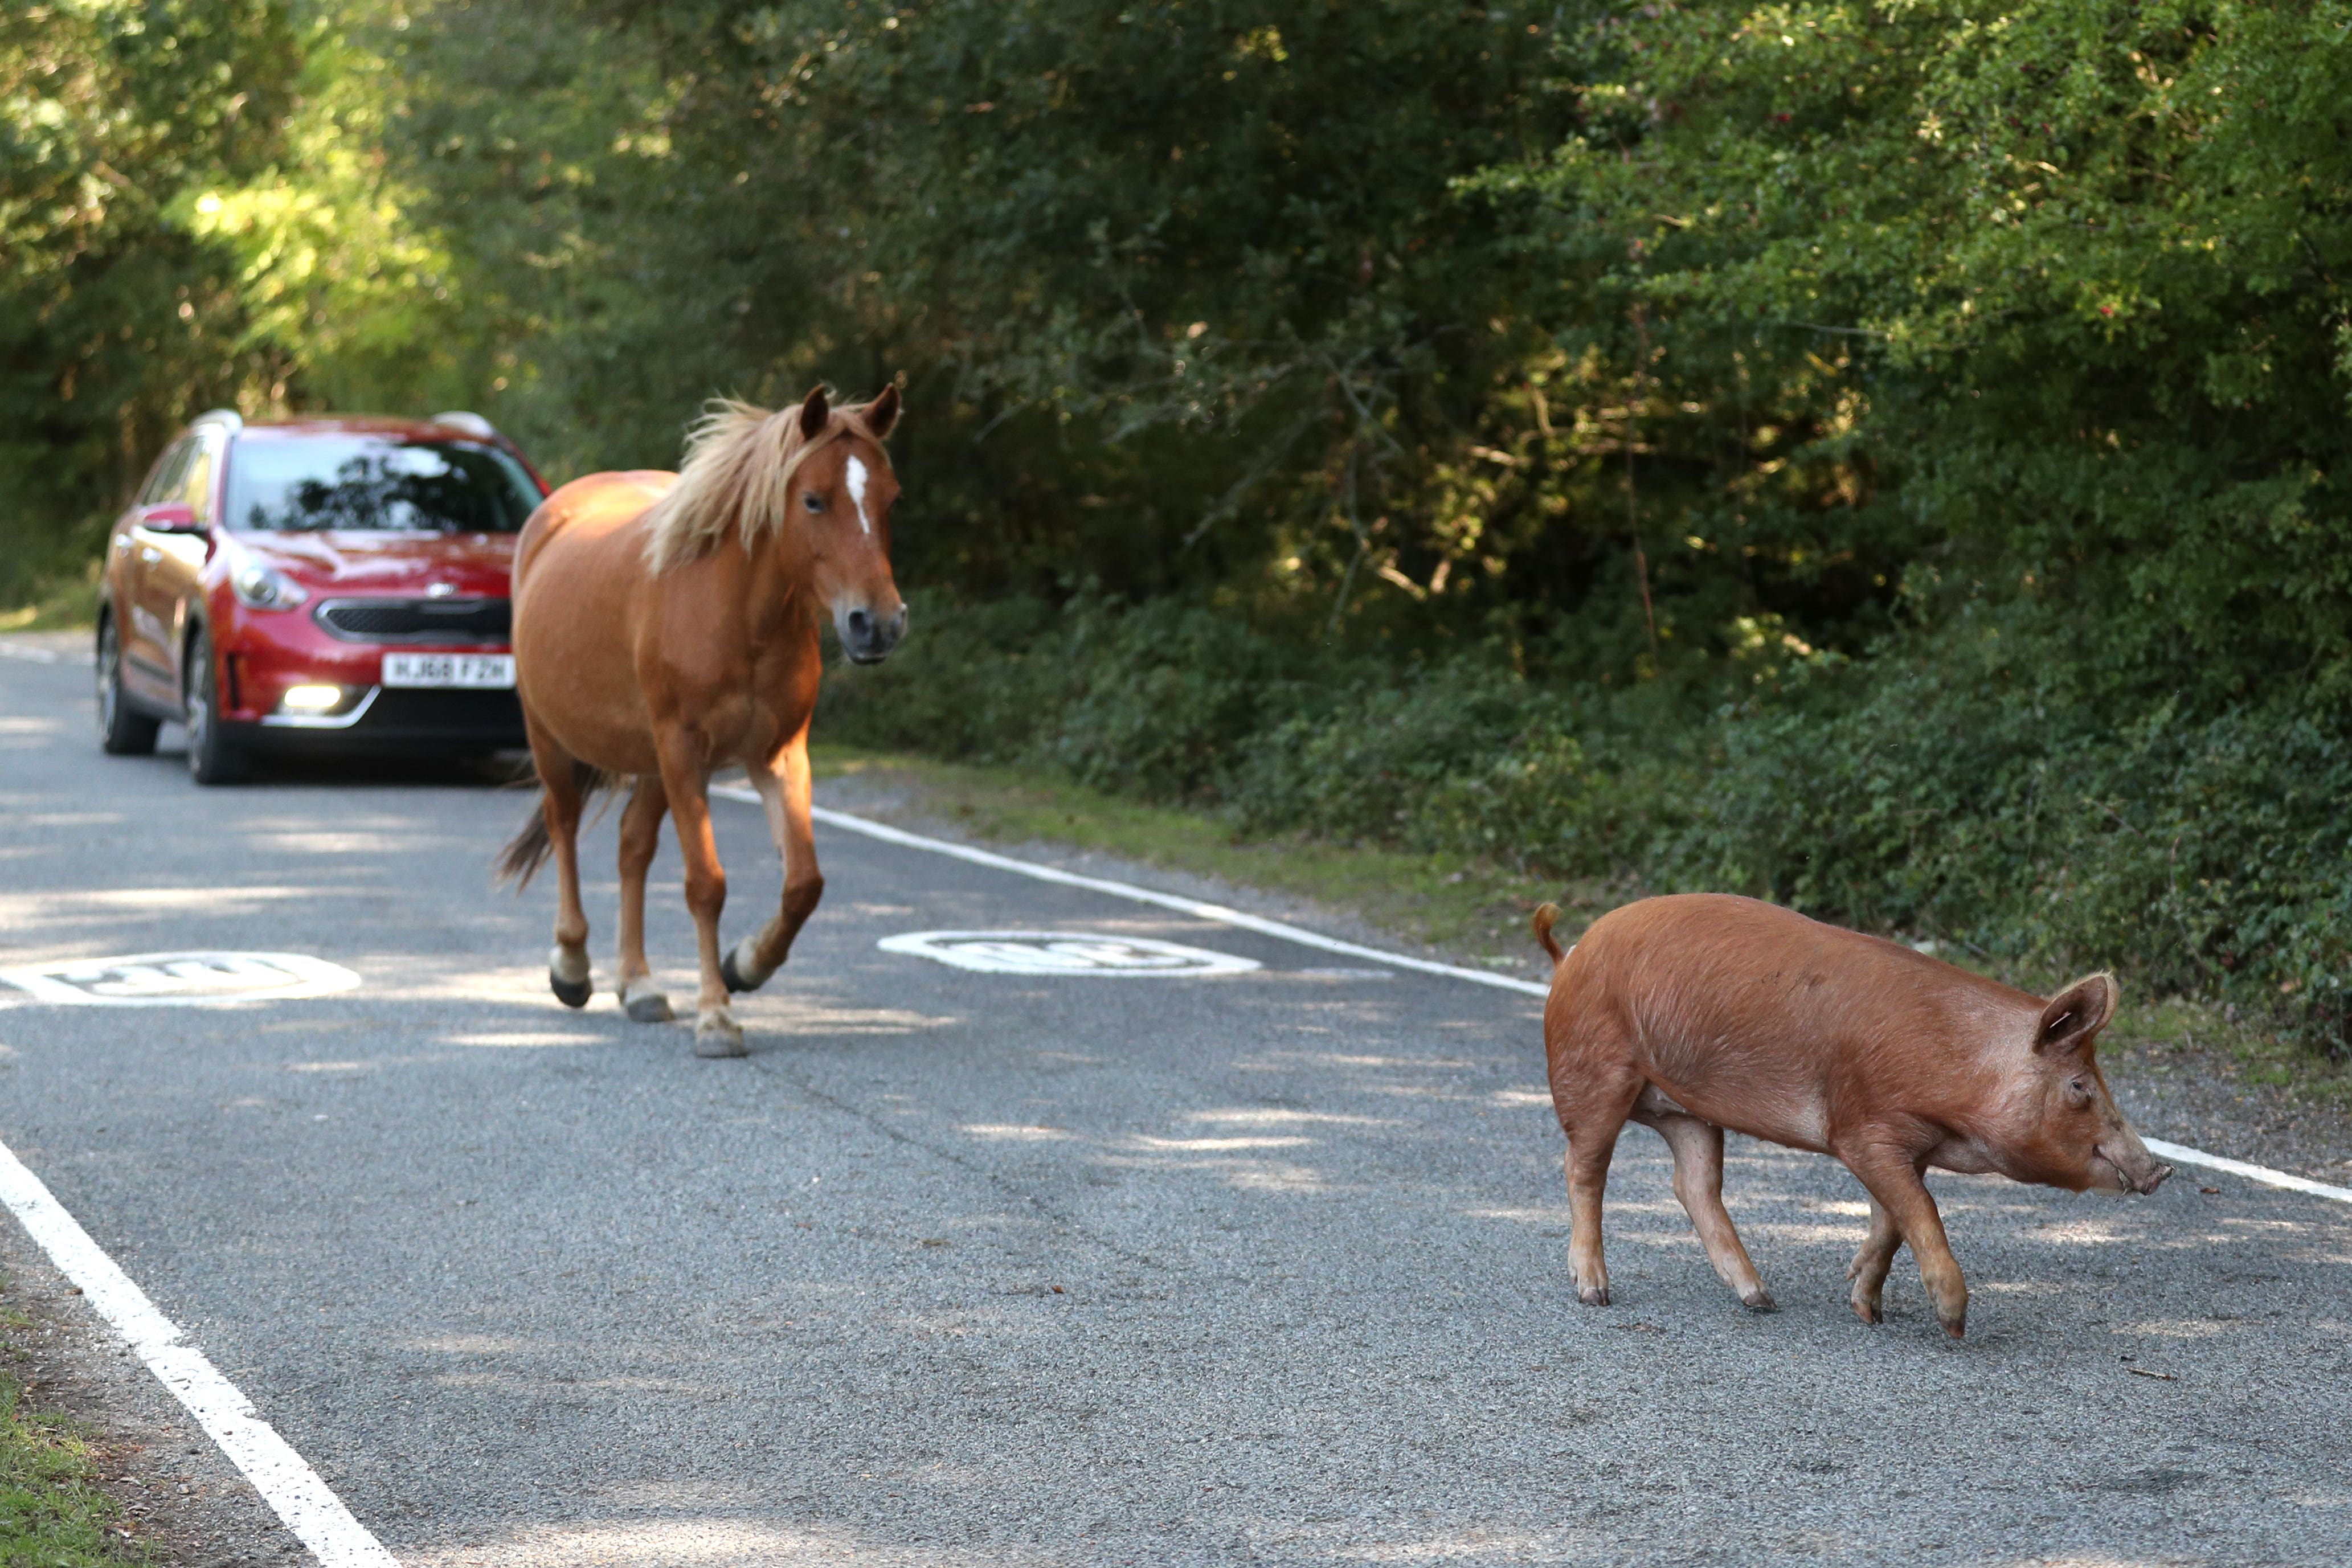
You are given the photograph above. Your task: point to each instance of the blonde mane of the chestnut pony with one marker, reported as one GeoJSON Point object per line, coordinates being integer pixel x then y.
{"type": "Point", "coordinates": [737, 478]}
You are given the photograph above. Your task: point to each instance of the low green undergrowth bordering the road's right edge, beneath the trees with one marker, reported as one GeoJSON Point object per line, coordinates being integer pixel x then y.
{"type": "Point", "coordinates": [1977, 784]}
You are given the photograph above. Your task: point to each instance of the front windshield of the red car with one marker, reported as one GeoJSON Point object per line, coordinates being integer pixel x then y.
{"type": "Point", "coordinates": [377, 483]}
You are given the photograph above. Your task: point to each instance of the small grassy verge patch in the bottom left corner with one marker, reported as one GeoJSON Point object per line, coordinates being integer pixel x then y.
{"type": "Point", "coordinates": [53, 1513]}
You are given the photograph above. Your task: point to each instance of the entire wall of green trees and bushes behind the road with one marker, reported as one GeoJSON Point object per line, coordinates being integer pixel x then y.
{"type": "Point", "coordinates": [1887, 460]}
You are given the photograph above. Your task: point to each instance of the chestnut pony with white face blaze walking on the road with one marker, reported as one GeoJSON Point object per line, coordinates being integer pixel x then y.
{"type": "Point", "coordinates": [669, 626]}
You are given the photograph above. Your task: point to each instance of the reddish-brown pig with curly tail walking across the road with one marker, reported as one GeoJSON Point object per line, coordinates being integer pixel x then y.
{"type": "Point", "coordinates": [1704, 1012]}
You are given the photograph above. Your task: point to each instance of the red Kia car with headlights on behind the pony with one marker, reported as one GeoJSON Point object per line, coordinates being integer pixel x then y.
{"type": "Point", "coordinates": [316, 584]}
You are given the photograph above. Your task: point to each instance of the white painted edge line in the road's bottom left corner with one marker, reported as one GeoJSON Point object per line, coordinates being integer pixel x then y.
{"type": "Point", "coordinates": [283, 1477]}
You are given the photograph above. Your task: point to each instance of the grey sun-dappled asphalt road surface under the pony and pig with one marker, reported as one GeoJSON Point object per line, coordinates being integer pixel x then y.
{"type": "Point", "coordinates": [984, 1268]}
